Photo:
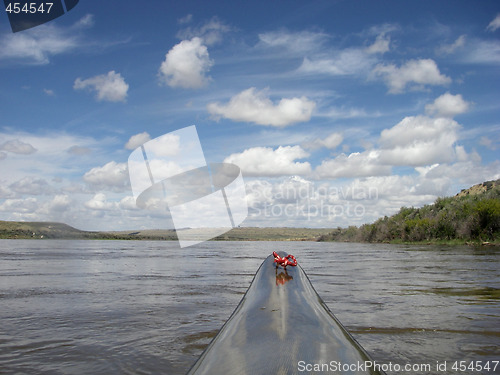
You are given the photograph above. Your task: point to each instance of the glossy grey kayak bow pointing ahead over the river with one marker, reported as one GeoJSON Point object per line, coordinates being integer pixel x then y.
{"type": "Point", "coordinates": [282, 326]}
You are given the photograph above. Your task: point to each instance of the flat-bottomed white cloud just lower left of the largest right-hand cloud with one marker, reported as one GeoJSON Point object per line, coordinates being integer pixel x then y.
{"type": "Point", "coordinates": [354, 165]}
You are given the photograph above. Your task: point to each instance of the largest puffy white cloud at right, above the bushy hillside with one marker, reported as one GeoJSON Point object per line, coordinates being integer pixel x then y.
{"type": "Point", "coordinates": [419, 140]}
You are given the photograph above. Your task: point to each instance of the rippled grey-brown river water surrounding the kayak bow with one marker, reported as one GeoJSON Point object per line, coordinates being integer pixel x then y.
{"type": "Point", "coordinates": [127, 307]}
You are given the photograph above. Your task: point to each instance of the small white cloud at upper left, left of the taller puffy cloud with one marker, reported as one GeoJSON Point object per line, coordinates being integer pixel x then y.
{"type": "Point", "coordinates": [108, 87]}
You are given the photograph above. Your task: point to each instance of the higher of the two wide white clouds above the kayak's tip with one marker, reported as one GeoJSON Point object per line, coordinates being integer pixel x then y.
{"type": "Point", "coordinates": [254, 106]}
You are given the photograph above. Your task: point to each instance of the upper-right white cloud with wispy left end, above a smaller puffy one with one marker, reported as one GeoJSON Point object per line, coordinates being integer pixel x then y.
{"type": "Point", "coordinates": [421, 72]}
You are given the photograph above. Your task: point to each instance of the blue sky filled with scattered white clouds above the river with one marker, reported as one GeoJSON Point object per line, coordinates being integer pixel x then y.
{"type": "Point", "coordinates": [337, 112]}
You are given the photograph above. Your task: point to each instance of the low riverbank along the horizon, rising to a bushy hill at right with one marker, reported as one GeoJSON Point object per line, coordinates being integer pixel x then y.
{"type": "Point", "coordinates": [472, 217]}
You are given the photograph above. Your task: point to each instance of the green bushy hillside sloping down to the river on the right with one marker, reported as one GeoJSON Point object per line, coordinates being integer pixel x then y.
{"type": "Point", "coordinates": [470, 217]}
